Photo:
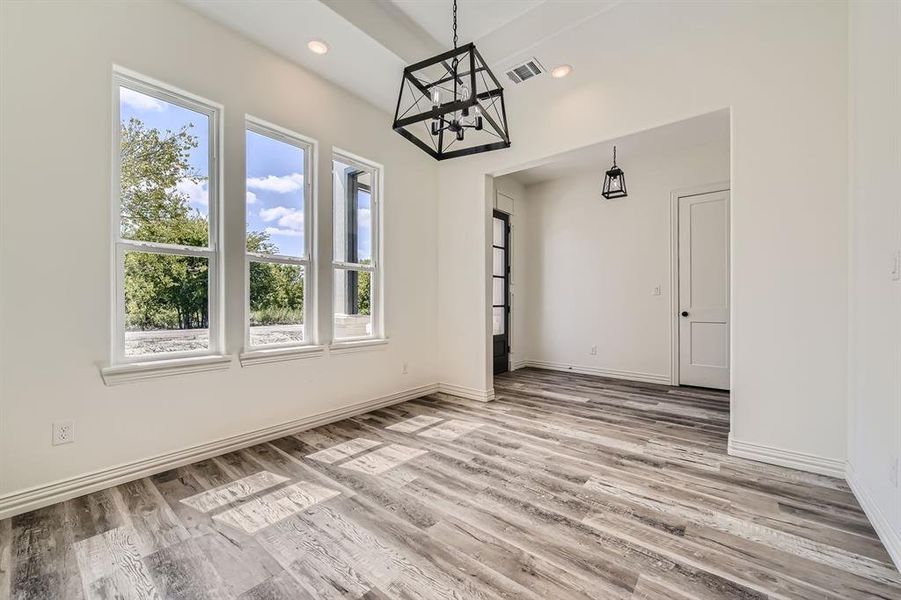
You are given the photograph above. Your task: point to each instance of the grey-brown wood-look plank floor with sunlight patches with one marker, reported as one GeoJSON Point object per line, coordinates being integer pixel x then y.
{"type": "Point", "coordinates": [566, 486]}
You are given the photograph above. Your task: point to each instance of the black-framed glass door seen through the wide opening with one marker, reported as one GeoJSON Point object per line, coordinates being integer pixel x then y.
{"type": "Point", "coordinates": [500, 291]}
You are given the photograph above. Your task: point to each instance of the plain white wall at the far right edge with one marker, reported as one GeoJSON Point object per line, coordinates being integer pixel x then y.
{"type": "Point", "coordinates": [874, 355]}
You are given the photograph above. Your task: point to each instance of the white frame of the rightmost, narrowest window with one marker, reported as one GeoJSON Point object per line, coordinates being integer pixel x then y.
{"type": "Point", "coordinates": [375, 269]}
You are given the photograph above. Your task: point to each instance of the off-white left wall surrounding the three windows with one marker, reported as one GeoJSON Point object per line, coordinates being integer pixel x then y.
{"type": "Point", "coordinates": [55, 247]}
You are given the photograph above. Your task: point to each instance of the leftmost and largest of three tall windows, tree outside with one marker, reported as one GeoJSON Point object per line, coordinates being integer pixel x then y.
{"type": "Point", "coordinates": [167, 229]}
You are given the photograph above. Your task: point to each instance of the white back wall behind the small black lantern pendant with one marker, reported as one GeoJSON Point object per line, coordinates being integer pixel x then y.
{"type": "Point", "coordinates": [592, 264]}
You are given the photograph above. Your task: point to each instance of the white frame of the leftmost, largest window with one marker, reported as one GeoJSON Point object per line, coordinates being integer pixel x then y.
{"type": "Point", "coordinates": [120, 246]}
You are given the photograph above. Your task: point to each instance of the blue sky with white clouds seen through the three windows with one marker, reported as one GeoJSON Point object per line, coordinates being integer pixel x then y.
{"type": "Point", "coordinates": [274, 175]}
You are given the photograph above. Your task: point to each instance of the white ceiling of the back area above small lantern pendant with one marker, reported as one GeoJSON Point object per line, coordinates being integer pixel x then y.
{"type": "Point", "coordinates": [712, 128]}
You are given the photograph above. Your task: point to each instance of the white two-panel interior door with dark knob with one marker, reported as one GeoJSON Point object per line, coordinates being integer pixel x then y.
{"type": "Point", "coordinates": [704, 290]}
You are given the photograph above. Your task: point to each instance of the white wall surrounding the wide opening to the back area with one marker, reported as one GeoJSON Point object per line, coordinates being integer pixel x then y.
{"type": "Point", "coordinates": [782, 69]}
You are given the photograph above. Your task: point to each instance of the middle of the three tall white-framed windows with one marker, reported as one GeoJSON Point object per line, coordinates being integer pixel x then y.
{"type": "Point", "coordinates": [278, 236]}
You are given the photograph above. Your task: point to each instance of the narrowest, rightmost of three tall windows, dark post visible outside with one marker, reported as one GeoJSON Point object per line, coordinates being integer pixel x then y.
{"type": "Point", "coordinates": [356, 217]}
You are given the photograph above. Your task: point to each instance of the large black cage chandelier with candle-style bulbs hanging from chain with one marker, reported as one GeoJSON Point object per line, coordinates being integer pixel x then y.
{"type": "Point", "coordinates": [452, 105]}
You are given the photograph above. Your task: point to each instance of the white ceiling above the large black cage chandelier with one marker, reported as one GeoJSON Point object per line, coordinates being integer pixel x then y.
{"type": "Point", "coordinates": [372, 41]}
